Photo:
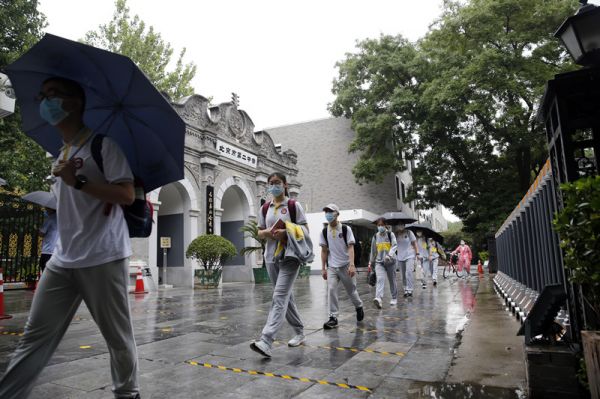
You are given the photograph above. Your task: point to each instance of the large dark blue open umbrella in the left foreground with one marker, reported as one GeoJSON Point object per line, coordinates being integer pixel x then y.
{"type": "Point", "coordinates": [120, 103]}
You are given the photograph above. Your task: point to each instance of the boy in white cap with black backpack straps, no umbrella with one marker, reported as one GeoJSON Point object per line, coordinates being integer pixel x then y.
{"type": "Point", "coordinates": [337, 260]}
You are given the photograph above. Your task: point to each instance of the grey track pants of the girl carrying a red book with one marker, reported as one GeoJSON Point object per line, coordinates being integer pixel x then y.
{"type": "Point", "coordinates": [282, 275]}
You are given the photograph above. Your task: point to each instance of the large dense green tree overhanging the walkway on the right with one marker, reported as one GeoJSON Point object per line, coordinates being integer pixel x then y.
{"type": "Point", "coordinates": [461, 102]}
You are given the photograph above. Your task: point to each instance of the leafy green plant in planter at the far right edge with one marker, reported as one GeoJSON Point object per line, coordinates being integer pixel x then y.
{"type": "Point", "coordinates": [578, 225]}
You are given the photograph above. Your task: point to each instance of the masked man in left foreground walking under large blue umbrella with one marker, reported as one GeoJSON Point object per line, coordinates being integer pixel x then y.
{"type": "Point", "coordinates": [90, 262]}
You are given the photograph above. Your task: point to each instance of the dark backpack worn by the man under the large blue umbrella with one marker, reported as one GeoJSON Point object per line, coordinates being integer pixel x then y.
{"type": "Point", "coordinates": [137, 215]}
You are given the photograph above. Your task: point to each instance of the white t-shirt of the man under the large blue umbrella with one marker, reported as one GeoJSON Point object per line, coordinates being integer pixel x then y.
{"type": "Point", "coordinates": [87, 236]}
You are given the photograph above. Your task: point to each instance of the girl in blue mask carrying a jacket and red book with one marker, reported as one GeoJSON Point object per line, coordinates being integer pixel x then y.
{"type": "Point", "coordinates": [283, 271]}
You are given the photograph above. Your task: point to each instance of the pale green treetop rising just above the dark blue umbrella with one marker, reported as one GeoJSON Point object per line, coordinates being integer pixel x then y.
{"type": "Point", "coordinates": [129, 36]}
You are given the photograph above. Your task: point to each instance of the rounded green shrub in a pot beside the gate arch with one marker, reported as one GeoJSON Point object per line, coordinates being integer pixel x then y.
{"type": "Point", "coordinates": [210, 251]}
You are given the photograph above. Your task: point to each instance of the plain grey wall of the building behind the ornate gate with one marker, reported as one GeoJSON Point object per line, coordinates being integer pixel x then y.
{"type": "Point", "coordinates": [325, 167]}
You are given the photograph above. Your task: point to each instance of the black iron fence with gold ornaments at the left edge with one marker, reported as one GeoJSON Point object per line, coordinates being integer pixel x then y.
{"type": "Point", "coordinates": [20, 243]}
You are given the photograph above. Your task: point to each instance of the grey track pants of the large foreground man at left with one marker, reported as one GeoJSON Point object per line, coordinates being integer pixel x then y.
{"type": "Point", "coordinates": [60, 291]}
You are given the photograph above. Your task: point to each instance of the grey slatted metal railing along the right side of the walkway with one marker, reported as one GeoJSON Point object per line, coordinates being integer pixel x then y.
{"type": "Point", "coordinates": [528, 251]}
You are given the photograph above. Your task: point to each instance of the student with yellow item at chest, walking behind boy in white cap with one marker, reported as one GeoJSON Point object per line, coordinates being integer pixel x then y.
{"type": "Point", "coordinates": [383, 250]}
